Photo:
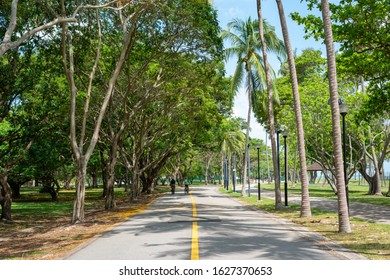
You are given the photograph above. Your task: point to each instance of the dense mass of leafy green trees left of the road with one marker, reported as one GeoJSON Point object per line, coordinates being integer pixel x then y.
{"type": "Point", "coordinates": [131, 85]}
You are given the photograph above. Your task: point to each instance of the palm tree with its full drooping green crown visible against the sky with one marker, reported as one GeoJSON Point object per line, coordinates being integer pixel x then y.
{"type": "Point", "coordinates": [245, 44]}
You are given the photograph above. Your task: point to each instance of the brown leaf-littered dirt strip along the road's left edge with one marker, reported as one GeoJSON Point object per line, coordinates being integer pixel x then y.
{"type": "Point", "coordinates": [53, 239]}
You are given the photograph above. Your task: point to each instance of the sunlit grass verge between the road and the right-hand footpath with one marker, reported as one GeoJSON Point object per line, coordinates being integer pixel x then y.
{"type": "Point", "coordinates": [368, 238]}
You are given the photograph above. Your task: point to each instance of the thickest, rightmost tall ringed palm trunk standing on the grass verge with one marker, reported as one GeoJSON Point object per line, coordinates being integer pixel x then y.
{"type": "Point", "coordinates": [344, 225]}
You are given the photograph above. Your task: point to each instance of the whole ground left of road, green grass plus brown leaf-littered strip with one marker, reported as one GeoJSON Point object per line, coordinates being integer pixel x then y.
{"type": "Point", "coordinates": [42, 229]}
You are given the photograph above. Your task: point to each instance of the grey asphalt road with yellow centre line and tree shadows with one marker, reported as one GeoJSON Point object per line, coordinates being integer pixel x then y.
{"type": "Point", "coordinates": [207, 225]}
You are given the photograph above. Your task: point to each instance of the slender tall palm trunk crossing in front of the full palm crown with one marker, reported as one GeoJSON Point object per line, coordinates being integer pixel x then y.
{"type": "Point", "coordinates": [278, 195]}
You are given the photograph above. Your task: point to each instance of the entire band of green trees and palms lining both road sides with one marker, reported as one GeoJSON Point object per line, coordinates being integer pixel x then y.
{"type": "Point", "coordinates": [137, 90]}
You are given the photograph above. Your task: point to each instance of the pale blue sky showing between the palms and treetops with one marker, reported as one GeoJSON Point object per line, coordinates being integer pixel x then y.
{"type": "Point", "coordinates": [231, 9]}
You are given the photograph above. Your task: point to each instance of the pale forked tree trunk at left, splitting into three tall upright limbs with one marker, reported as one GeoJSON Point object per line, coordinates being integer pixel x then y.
{"type": "Point", "coordinates": [82, 158]}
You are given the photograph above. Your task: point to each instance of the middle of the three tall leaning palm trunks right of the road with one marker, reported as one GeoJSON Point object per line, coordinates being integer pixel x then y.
{"type": "Point", "coordinates": [305, 199]}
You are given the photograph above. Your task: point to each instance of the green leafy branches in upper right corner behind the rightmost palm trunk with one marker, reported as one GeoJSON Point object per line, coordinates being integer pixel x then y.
{"type": "Point", "coordinates": [362, 30]}
